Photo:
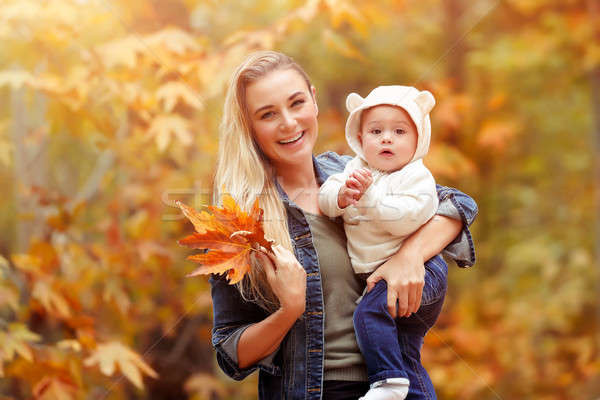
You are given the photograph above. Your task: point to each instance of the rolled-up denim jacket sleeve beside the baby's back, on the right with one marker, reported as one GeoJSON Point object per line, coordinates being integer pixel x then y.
{"type": "Point", "coordinates": [455, 204]}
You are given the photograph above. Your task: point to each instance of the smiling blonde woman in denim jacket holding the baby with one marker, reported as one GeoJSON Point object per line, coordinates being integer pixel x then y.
{"type": "Point", "coordinates": [275, 319]}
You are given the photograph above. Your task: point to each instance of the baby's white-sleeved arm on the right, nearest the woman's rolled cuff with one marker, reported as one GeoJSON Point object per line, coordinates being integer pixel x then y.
{"type": "Point", "coordinates": [410, 203]}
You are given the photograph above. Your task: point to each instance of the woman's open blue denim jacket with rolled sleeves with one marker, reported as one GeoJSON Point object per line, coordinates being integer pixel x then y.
{"type": "Point", "coordinates": [295, 370]}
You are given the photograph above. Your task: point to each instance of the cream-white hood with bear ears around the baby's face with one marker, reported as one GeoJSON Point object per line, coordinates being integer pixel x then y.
{"type": "Point", "coordinates": [416, 103]}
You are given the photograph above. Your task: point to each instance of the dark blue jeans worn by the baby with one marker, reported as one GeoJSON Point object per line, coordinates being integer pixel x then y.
{"type": "Point", "coordinates": [390, 346]}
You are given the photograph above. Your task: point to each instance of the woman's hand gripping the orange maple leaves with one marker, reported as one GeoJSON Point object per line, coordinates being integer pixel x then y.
{"type": "Point", "coordinates": [287, 279]}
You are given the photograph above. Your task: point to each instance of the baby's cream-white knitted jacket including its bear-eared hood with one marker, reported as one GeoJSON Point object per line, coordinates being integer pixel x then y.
{"type": "Point", "coordinates": [396, 204]}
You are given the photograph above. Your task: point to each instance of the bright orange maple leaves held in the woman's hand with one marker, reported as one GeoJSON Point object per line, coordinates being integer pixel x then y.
{"type": "Point", "coordinates": [228, 235]}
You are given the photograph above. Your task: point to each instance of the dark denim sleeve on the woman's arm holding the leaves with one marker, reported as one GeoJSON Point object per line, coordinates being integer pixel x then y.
{"type": "Point", "coordinates": [231, 316]}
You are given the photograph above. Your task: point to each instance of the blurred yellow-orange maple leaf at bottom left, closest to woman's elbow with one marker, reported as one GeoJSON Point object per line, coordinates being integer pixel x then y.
{"type": "Point", "coordinates": [109, 355]}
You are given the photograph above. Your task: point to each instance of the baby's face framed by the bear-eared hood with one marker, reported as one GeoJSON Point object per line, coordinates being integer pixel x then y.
{"type": "Point", "coordinates": [388, 137]}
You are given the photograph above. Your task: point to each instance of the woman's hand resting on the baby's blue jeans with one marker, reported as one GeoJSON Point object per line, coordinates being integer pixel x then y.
{"type": "Point", "coordinates": [404, 273]}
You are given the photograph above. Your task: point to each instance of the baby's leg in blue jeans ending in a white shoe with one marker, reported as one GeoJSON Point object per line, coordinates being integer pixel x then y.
{"type": "Point", "coordinates": [377, 339]}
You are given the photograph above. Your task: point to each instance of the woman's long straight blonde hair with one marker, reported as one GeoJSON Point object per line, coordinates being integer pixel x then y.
{"type": "Point", "coordinates": [245, 172]}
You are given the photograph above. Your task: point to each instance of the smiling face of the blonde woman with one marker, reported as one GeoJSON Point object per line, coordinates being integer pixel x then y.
{"type": "Point", "coordinates": [283, 115]}
